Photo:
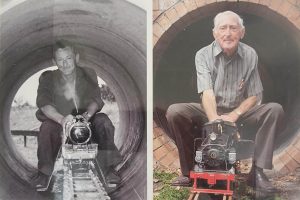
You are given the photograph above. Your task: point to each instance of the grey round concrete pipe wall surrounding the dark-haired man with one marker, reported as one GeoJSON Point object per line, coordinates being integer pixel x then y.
{"type": "Point", "coordinates": [111, 38]}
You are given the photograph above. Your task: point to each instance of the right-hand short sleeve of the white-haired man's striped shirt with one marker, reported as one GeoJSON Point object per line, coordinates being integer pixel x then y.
{"type": "Point", "coordinates": [254, 87]}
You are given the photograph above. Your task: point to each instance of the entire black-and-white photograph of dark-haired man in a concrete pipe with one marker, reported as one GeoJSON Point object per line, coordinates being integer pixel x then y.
{"type": "Point", "coordinates": [73, 99]}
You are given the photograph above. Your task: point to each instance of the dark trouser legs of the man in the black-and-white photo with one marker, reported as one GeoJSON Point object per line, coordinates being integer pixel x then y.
{"type": "Point", "coordinates": [50, 139]}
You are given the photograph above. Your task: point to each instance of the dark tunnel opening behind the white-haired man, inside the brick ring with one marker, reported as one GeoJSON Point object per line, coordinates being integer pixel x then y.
{"type": "Point", "coordinates": [274, 40]}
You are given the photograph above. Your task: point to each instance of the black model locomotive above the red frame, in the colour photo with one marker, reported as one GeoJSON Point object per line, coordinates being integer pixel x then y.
{"type": "Point", "coordinates": [216, 149]}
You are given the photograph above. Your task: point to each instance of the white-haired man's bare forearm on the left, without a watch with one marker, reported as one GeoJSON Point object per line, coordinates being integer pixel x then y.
{"type": "Point", "coordinates": [210, 105]}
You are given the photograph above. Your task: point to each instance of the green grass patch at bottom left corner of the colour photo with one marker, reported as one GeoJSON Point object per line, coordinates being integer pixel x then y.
{"type": "Point", "coordinates": [168, 192]}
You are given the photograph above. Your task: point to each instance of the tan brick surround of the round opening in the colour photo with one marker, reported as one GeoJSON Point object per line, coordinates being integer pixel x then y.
{"type": "Point", "coordinates": [168, 16]}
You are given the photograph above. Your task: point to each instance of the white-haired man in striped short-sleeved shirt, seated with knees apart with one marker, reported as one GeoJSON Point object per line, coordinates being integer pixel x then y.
{"type": "Point", "coordinates": [230, 89]}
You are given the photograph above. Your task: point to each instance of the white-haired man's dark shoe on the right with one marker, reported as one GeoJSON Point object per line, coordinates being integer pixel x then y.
{"type": "Point", "coordinates": [258, 180]}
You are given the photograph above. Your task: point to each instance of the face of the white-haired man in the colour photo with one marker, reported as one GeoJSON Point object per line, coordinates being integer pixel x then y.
{"type": "Point", "coordinates": [228, 33]}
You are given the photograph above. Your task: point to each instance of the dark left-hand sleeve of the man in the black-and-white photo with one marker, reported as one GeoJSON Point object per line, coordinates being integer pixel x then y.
{"type": "Point", "coordinates": [45, 90]}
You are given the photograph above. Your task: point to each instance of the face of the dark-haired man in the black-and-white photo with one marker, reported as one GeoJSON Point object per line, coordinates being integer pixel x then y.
{"type": "Point", "coordinates": [65, 60]}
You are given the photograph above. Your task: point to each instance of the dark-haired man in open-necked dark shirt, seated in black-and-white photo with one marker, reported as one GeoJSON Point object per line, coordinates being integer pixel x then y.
{"type": "Point", "coordinates": [63, 93]}
